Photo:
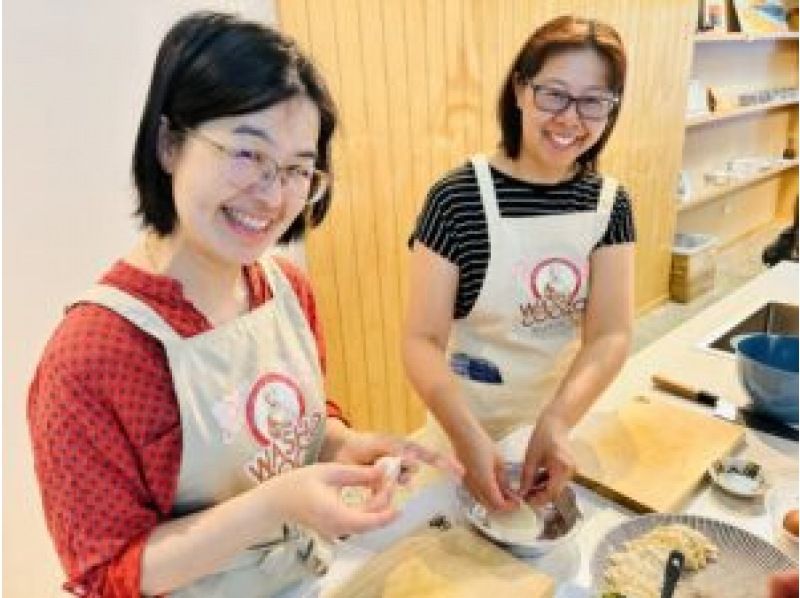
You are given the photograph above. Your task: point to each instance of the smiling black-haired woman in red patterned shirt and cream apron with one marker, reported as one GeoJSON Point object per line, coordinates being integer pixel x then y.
{"type": "Point", "coordinates": [178, 412]}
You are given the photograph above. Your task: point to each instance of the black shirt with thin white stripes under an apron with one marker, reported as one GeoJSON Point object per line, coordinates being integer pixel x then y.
{"type": "Point", "coordinates": [453, 224]}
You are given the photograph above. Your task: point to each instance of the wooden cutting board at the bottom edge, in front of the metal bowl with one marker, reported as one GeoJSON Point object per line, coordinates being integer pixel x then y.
{"type": "Point", "coordinates": [456, 563]}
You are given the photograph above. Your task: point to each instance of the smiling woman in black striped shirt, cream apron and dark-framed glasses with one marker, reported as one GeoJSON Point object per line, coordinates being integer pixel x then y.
{"type": "Point", "coordinates": [522, 269]}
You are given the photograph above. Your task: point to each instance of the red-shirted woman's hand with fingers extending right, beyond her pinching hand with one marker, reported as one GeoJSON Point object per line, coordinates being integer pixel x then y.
{"type": "Point", "coordinates": [365, 448]}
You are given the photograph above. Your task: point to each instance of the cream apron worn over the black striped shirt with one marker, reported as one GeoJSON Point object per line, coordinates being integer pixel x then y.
{"type": "Point", "coordinates": [513, 349]}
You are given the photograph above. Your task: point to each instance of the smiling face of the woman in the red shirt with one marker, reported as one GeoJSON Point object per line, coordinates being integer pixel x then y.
{"type": "Point", "coordinates": [230, 195]}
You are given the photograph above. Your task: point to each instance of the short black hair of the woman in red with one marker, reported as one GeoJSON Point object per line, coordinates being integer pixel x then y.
{"type": "Point", "coordinates": [212, 65]}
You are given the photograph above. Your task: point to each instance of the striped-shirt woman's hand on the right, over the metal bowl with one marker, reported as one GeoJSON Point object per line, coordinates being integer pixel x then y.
{"type": "Point", "coordinates": [549, 462]}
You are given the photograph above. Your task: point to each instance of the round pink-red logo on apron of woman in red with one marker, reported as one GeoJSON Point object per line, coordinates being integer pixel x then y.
{"type": "Point", "coordinates": [274, 403]}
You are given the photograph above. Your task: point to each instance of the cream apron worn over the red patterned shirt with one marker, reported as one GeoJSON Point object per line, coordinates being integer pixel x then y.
{"type": "Point", "coordinates": [251, 401]}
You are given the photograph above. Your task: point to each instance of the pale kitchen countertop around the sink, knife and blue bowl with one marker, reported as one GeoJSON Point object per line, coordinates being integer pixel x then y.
{"type": "Point", "coordinates": [681, 355]}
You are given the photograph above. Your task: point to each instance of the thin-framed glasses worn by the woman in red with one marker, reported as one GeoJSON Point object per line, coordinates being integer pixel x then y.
{"type": "Point", "coordinates": [244, 168]}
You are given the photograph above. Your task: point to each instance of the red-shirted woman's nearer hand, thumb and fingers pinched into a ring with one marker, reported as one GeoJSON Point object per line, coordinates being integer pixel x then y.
{"type": "Point", "coordinates": [312, 496]}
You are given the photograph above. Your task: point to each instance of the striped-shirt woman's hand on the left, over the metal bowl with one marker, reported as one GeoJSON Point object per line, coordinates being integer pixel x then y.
{"type": "Point", "coordinates": [485, 474]}
